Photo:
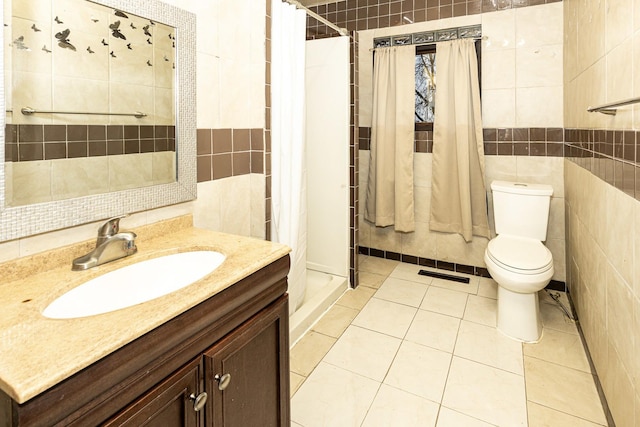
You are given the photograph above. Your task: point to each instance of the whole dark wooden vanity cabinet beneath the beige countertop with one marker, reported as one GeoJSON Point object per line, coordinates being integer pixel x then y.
{"type": "Point", "coordinates": [243, 330]}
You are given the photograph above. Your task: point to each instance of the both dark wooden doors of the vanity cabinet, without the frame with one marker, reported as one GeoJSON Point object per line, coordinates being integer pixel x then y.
{"type": "Point", "coordinates": [243, 379]}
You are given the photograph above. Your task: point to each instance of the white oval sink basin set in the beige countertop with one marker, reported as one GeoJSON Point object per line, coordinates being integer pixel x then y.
{"type": "Point", "coordinates": [134, 284]}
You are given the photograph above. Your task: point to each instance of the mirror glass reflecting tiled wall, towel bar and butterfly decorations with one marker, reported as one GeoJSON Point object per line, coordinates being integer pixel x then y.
{"type": "Point", "coordinates": [91, 105]}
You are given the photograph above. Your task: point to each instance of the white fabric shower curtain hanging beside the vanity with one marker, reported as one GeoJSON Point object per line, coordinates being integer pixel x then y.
{"type": "Point", "coordinates": [288, 185]}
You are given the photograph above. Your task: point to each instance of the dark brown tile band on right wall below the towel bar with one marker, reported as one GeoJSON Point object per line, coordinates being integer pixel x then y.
{"type": "Point", "coordinates": [611, 155]}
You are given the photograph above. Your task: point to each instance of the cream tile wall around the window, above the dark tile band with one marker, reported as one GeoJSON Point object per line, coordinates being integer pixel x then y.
{"type": "Point", "coordinates": [522, 81]}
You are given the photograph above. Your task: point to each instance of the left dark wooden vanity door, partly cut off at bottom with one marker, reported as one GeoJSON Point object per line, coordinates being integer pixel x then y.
{"type": "Point", "coordinates": [169, 404]}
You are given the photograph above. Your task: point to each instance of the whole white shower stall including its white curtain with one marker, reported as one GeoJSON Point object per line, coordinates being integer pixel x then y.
{"type": "Point", "coordinates": [310, 206]}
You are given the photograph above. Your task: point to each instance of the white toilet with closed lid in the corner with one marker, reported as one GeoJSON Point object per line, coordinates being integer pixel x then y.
{"type": "Point", "coordinates": [517, 259]}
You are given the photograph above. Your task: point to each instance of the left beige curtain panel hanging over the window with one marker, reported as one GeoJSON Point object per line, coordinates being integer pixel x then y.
{"type": "Point", "coordinates": [389, 197]}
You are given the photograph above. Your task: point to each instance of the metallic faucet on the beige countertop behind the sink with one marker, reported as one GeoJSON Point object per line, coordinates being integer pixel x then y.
{"type": "Point", "coordinates": [112, 244]}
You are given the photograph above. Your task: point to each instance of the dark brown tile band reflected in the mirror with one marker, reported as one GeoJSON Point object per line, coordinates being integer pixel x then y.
{"type": "Point", "coordinates": [25, 143]}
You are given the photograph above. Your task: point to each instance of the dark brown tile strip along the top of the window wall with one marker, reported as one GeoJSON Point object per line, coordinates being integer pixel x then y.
{"type": "Point", "coordinates": [372, 14]}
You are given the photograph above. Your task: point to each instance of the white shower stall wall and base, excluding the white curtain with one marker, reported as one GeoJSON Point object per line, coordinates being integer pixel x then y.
{"type": "Point", "coordinates": [327, 185]}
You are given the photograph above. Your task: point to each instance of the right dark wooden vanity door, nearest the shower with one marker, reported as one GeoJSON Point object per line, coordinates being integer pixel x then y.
{"type": "Point", "coordinates": [247, 372]}
